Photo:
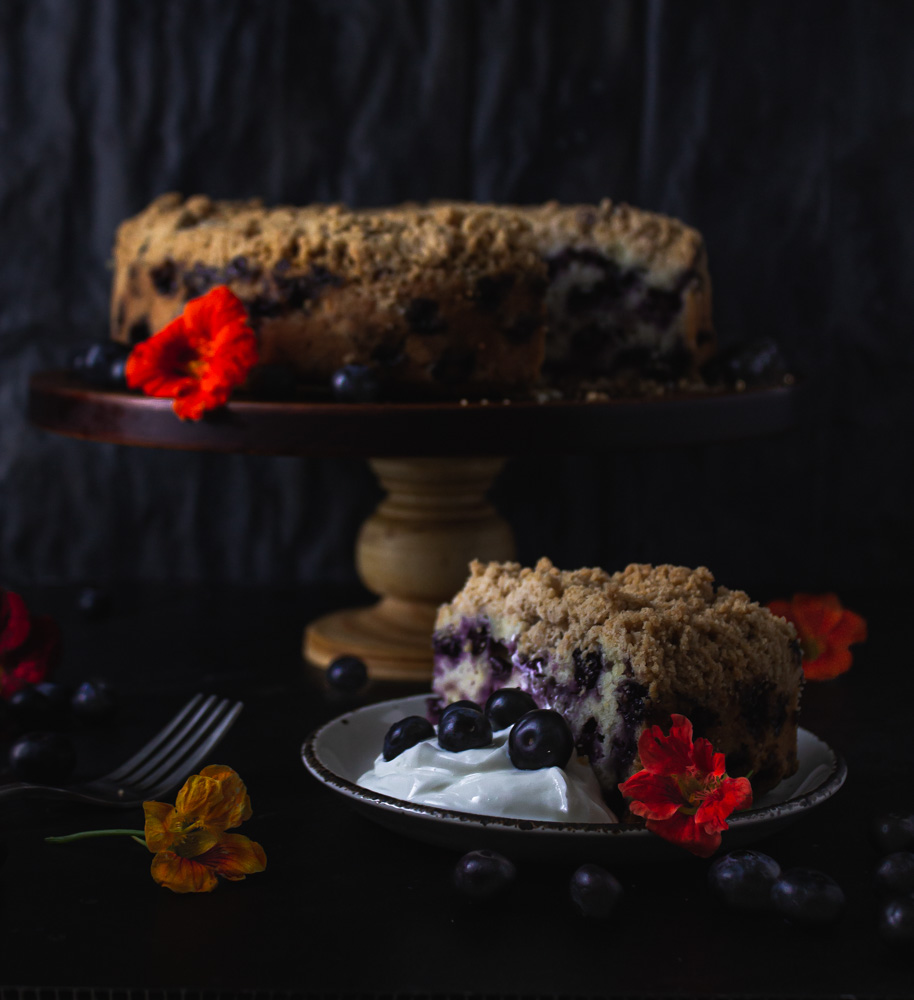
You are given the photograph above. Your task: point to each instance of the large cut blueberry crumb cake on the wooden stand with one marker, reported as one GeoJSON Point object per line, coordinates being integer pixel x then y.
{"type": "Point", "coordinates": [443, 300]}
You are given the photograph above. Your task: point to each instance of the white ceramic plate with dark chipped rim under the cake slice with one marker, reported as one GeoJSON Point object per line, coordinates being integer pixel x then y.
{"type": "Point", "coordinates": [342, 750]}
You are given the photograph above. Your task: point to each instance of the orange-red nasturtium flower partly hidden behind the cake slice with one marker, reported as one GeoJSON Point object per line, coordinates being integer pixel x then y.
{"type": "Point", "coordinates": [826, 630]}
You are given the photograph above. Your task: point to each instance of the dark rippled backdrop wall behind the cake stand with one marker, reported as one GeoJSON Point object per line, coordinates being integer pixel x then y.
{"type": "Point", "coordinates": [784, 131]}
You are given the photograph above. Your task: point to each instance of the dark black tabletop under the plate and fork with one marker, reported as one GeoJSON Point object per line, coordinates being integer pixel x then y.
{"type": "Point", "coordinates": [347, 908]}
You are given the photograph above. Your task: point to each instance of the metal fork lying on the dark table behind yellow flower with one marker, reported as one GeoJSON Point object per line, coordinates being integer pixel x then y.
{"type": "Point", "coordinates": [164, 762]}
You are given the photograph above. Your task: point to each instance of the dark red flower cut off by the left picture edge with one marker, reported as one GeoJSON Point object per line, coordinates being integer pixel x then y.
{"type": "Point", "coordinates": [29, 645]}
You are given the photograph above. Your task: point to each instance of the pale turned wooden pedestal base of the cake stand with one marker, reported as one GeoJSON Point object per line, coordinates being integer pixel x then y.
{"type": "Point", "coordinates": [413, 552]}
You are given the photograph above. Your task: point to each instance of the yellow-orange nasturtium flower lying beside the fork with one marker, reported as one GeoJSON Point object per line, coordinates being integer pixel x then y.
{"type": "Point", "coordinates": [189, 840]}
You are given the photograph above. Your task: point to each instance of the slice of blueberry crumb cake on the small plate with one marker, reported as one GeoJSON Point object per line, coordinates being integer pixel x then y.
{"type": "Point", "coordinates": [614, 653]}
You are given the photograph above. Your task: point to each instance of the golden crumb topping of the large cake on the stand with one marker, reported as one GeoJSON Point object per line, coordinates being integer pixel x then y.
{"type": "Point", "coordinates": [482, 239]}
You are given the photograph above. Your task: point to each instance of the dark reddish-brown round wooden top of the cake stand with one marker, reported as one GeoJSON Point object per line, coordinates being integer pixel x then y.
{"type": "Point", "coordinates": [60, 403]}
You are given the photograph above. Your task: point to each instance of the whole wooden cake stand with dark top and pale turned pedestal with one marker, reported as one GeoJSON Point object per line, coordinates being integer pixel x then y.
{"type": "Point", "coordinates": [435, 461]}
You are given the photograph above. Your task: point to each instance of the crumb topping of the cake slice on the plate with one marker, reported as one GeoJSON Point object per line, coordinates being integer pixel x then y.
{"type": "Point", "coordinates": [671, 623]}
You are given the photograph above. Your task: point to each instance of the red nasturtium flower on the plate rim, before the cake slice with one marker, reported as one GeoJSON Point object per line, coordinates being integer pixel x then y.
{"type": "Point", "coordinates": [684, 792]}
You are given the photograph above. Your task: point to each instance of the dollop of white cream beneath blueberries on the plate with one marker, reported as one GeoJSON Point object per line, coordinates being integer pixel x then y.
{"type": "Point", "coordinates": [484, 781]}
